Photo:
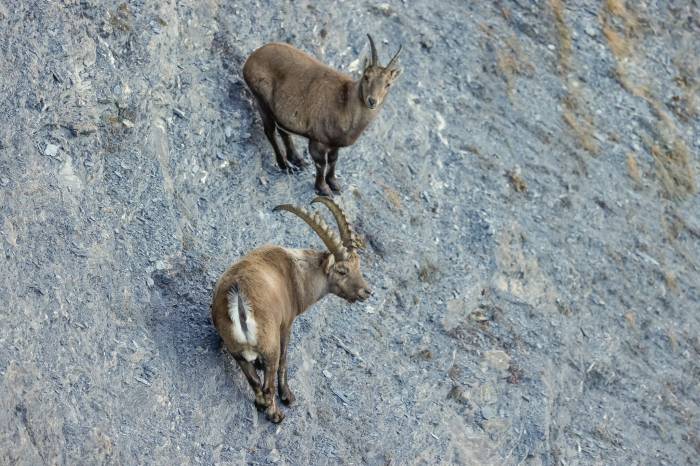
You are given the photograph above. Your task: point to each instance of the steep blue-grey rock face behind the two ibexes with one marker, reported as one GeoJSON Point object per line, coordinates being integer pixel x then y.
{"type": "Point", "coordinates": [528, 194]}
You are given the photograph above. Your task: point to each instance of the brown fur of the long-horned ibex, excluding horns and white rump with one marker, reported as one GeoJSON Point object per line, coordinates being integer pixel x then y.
{"type": "Point", "coordinates": [279, 284]}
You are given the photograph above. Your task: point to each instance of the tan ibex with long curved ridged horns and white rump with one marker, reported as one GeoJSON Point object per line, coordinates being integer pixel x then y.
{"type": "Point", "coordinates": [257, 299]}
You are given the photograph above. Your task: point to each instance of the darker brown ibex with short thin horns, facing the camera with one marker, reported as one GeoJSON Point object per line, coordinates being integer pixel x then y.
{"type": "Point", "coordinates": [298, 94]}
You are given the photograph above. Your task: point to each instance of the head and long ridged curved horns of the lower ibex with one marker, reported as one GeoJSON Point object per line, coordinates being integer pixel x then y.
{"type": "Point", "coordinates": [342, 265]}
